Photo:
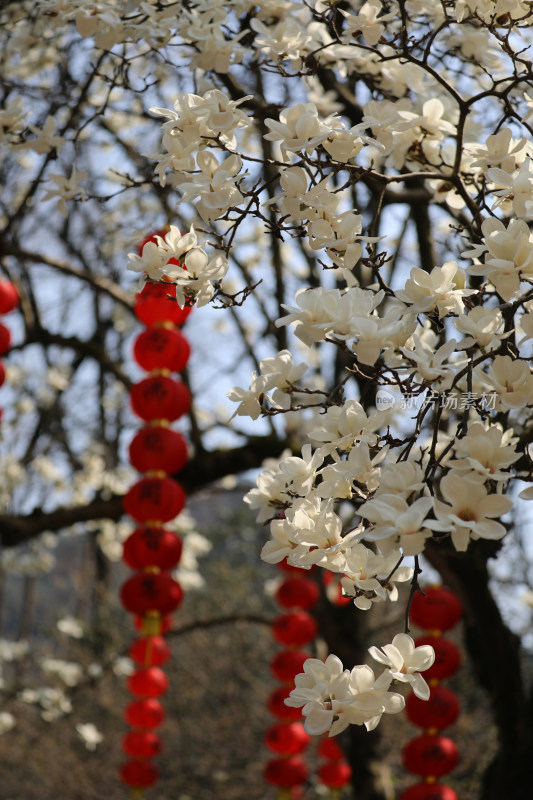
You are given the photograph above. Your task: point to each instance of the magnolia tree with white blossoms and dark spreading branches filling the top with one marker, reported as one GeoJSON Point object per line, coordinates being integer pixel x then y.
{"type": "Point", "coordinates": [348, 186]}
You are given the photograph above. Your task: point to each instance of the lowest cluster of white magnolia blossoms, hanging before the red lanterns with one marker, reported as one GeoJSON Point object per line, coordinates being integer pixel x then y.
{"type": "Point", "coordinates": [331, 698]}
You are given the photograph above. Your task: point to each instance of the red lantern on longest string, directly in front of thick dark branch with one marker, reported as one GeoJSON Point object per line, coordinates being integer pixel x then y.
{"type": "Point", "coordinates": [154, 499]}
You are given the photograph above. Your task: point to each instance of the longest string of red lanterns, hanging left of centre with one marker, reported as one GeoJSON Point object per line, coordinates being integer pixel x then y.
{"type": "Point", "coordinates": [151, 594]}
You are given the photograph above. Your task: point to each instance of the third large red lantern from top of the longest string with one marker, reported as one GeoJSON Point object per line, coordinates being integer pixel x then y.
{"type": "Point", "coordinates": [160, 397]}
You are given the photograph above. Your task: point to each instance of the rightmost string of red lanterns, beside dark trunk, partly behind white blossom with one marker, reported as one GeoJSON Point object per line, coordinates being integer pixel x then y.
{"type": "Point", "coordinates": [432, 755]}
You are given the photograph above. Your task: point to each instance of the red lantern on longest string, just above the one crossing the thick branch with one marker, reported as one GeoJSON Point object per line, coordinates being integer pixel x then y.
{"type": "Point", "coordinates": [157, 448]}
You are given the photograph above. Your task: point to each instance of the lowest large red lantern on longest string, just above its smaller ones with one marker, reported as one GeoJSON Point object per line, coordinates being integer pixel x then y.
{"type": "Point", "coordinates": [146, 592]}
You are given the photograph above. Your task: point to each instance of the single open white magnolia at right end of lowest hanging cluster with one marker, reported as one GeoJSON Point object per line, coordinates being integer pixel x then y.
{"type": "Point", "coordinates": [406, 661]}
